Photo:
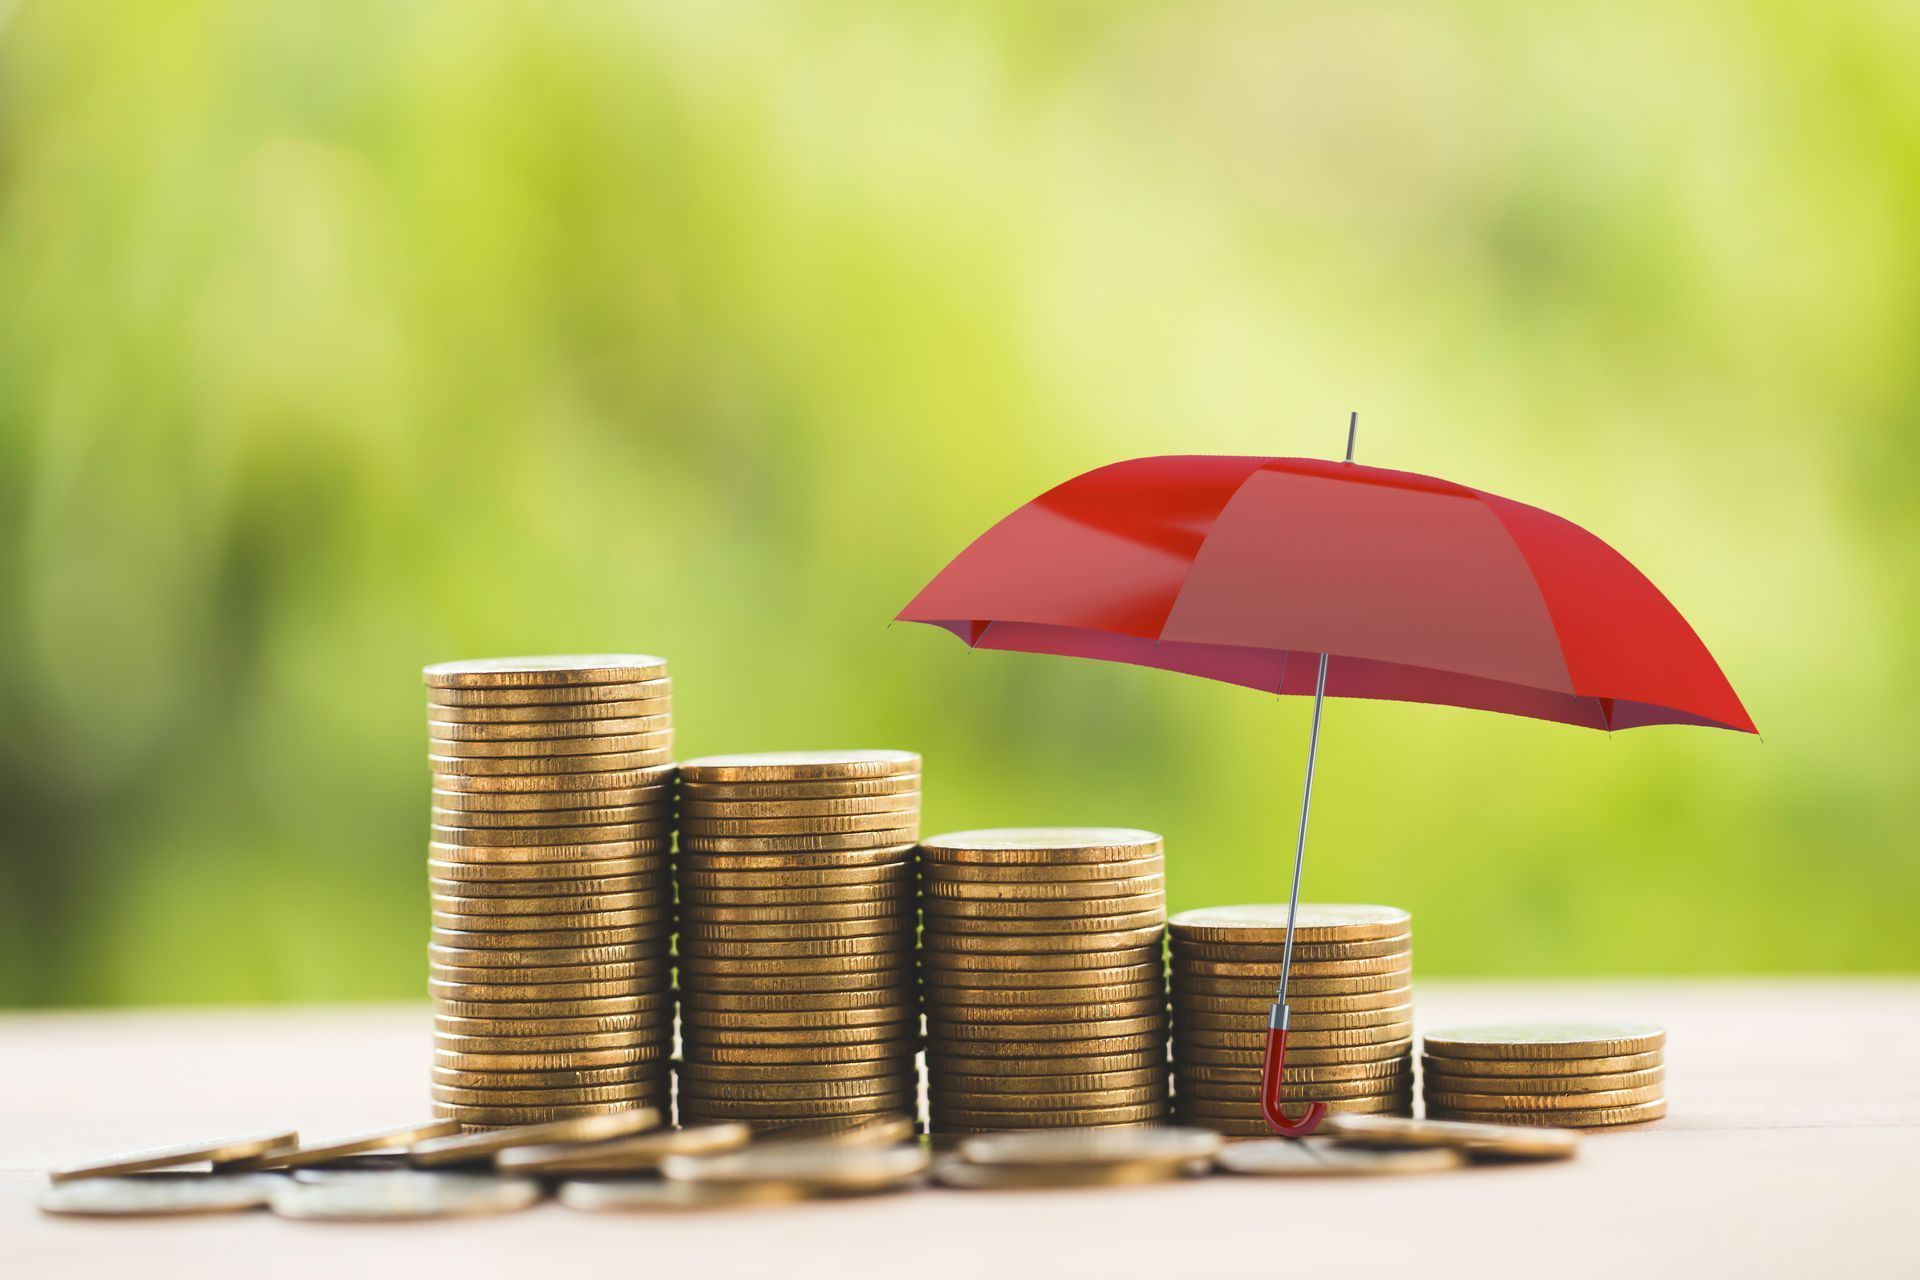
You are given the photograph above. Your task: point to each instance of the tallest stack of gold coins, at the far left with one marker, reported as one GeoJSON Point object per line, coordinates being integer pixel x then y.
{"type": "Point", "coordinates": [552, 888]}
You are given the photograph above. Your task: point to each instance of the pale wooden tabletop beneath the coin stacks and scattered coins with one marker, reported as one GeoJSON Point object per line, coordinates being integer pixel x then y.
{"type": "Point", "coordinates": [1792, 1149]}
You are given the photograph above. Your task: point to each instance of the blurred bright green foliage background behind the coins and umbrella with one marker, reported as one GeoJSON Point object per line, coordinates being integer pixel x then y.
{"type": "Point", "coordinates": [337, 339]}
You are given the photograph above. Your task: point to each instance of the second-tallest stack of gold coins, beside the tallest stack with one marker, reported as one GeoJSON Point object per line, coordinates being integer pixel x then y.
{"type": "Point", "coordinates": [796, 882]}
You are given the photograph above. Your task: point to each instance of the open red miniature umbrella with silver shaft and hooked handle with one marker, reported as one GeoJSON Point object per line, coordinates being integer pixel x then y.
{"type": "Point", "coordinates": [1332, 579]}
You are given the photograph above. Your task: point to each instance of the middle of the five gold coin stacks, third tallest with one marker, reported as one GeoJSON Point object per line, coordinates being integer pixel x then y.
{"type": "Point", "coordinates": [1044, 978]}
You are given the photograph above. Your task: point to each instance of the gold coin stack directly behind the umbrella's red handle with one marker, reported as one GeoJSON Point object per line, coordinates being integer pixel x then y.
{"type": "Point", "coordinates": [1351, 999]}
